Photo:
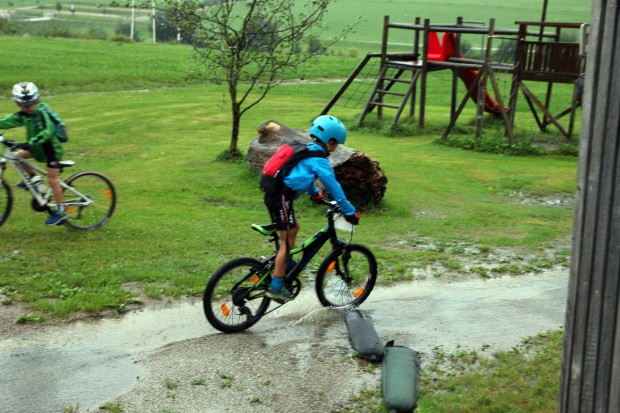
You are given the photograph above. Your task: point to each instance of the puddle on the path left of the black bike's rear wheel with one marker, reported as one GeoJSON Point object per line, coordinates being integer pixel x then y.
{"type": "Point", "coordinates": [86, 363]}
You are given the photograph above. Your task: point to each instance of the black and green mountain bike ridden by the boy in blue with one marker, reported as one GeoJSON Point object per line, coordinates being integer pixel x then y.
{"type": "Point", "coordinates": [234, 298]}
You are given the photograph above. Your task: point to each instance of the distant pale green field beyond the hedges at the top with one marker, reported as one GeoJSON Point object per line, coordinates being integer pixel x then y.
{"type": "Point", "coordinates": [89, 14]}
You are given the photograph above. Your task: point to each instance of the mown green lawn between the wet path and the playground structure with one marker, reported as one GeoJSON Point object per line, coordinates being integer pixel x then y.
{"type": "Point", "coordinates": [181, 213]}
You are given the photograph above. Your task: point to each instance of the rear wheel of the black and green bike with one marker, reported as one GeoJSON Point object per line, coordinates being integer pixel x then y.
{"type": "Point", "coordinates": [232, 302]}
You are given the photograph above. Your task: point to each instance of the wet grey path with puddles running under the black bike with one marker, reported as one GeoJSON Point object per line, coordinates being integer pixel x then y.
{"type": "Point", "coordinates": [89, 363]}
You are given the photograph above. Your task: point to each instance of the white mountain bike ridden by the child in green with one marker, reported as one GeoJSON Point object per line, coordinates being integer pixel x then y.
{"type": "Point", "coordinates": [89, 196]}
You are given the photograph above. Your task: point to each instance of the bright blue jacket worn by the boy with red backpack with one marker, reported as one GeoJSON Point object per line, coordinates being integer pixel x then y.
{"type": "Point", "coordinates": [302, 176]}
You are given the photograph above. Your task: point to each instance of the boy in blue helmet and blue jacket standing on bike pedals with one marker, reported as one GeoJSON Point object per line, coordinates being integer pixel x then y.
{"type": "Point", "coordinates": [328, 132]}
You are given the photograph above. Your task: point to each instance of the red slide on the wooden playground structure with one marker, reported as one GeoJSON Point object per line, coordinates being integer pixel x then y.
{"type": "Point", "coordinates": [441, 52]}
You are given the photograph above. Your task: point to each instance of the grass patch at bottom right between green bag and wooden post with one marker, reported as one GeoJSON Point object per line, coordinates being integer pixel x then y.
{"type": "Point", "coordinates": [522, 380]}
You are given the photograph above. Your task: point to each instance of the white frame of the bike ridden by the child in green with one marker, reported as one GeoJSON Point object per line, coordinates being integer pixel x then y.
{"type": "Point", "coordinates": [16, 161]}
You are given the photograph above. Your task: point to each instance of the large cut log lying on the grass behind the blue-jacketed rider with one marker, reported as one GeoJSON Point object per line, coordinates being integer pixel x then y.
{"type": "Point", "coordinates": [362, 180]}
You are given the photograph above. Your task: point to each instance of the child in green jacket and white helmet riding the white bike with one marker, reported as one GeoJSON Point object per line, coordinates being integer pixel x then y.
{"type": "Point", "coordinates": [42, 141]}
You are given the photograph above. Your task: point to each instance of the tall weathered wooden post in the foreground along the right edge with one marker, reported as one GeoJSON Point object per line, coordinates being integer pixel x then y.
{"type": "Point", "coordinates": [590, 376]}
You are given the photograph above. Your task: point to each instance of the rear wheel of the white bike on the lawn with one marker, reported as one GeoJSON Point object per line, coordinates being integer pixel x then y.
{"type": "Point", "coordinates": [97, 187]}
